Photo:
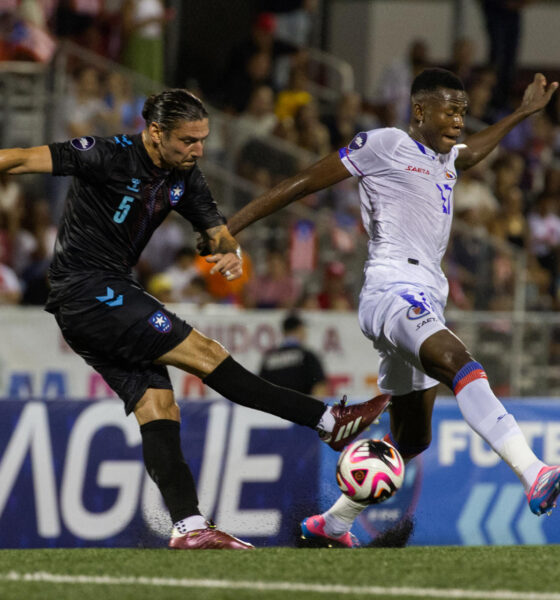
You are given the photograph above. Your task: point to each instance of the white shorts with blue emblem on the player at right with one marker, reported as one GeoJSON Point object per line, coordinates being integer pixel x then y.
{"type": "Point", "coordinates": [398, 319]}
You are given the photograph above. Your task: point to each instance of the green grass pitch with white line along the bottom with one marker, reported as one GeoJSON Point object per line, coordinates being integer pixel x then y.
{"type": "Point", "coordinates": [483, 573]}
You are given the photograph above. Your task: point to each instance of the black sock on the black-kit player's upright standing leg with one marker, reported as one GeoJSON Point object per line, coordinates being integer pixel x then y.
{"type": "Point", "coordinates": [161, 447]}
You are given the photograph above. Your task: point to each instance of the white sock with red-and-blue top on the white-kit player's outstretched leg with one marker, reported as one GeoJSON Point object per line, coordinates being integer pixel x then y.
{"type": "Point", "coordinates": [486, 415]}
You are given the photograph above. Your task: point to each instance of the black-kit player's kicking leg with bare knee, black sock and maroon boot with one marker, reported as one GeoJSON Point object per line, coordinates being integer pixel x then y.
{"type": "Point", "coordinates": [210, 361]}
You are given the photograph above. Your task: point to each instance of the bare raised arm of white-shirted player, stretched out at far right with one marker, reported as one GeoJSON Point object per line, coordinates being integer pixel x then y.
{"type": "Point", "coordinates": [477, 146]}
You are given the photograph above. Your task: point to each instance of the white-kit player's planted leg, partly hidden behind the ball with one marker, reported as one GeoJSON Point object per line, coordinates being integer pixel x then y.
{"type": "Point", "coordinates": [411, 427]}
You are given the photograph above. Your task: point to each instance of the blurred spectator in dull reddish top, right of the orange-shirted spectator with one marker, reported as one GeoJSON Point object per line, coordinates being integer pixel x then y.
{"type": "Point", "coordinates": [276, 287]}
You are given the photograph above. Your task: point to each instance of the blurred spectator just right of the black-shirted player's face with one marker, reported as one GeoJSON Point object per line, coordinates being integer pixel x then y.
{"type": "Point", "coordinates": [257, 121]}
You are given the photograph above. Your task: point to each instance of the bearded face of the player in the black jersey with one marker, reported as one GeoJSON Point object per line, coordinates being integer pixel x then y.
{"type": "Point", "coordinates": [183, 145]}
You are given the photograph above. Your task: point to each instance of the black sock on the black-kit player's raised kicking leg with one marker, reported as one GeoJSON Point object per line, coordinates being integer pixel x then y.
{"type": "Point", "coordinates": [235, 383]}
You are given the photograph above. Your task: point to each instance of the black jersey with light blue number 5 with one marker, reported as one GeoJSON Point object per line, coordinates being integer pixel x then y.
{"type": "Point", "coordinates": [117, 199]}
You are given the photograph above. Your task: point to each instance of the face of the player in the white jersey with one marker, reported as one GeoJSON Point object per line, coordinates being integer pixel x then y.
{"type": "Point", "coordinates": [440, 119]}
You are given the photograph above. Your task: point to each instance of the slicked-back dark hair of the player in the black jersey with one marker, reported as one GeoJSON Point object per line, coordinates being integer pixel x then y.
{"type": "Point", "coordinates": [171, 106]}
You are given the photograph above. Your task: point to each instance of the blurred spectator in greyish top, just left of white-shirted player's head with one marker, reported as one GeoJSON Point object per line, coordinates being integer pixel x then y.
{"type": "Point", "coordinates": [393, 87]}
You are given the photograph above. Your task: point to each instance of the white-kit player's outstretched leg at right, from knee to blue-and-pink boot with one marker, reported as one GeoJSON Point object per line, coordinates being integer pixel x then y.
{"type": "Point", "coordinates": [445, 358]}
